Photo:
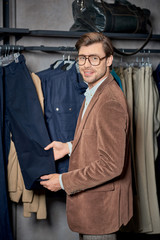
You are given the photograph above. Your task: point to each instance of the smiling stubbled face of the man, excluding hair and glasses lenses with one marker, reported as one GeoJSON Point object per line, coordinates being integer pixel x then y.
{"type": "Point", "coordinates": [93, 74]}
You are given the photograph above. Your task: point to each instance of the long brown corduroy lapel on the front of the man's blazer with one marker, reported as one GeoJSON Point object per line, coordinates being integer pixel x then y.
{"type": "Point", "coordinates": [81, 122]}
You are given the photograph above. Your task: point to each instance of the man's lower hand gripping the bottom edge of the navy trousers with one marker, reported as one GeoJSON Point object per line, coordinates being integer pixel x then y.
{"type": "Point", "coordinates": [51, 182]}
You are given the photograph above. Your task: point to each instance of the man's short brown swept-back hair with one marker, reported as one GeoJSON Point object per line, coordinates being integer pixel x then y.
{"type": "Point", "coordinates": [95, 37]}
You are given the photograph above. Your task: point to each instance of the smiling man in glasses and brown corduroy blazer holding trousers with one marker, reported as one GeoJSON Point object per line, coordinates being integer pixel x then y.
{"type": "Point", "coordinates": [98, 184]}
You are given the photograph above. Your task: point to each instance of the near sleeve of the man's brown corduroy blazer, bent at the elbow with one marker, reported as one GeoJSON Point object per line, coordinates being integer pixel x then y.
{"type": "Point", "coordinates": [111, 125]}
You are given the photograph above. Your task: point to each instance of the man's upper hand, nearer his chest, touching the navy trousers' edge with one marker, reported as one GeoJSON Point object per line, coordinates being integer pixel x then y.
{"type": "Point", "coordinates": [59, 149]}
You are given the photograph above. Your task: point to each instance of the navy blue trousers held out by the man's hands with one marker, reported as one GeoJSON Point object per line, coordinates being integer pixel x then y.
{"type": "Point", "coordinates": [26, 123]}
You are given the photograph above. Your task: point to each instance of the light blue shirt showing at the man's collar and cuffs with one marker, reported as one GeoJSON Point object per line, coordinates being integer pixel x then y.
{"type": "Point", "coordinates": [88, 94]}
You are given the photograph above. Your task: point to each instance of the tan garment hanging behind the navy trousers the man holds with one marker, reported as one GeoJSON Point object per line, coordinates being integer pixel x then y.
{"type": "Point", "coordinates": [33, 201]}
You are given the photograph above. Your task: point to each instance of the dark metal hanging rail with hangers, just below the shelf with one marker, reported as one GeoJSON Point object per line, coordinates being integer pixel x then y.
{"type": "Point", "coordinates": [7, 49]}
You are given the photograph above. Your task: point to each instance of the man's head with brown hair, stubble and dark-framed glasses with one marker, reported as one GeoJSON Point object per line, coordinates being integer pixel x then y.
{"type": "Point", "coordinates": [95, 56]}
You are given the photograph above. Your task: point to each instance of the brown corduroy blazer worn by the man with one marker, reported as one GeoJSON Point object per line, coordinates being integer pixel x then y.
{"type": "Point", "coordinates": [98, 184]}
